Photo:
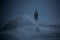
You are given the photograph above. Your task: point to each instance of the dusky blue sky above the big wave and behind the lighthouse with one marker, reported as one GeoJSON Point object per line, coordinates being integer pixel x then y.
{"type": "Point", "coordinates": [49, 10]}
